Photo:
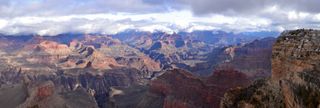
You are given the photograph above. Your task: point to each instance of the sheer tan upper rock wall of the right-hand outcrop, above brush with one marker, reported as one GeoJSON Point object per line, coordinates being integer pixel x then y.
{"type": "Point", "coordinates": [295, 51]}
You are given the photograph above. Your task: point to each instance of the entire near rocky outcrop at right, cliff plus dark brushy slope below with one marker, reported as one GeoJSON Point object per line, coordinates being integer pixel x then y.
{"type": "Point", "coordinates": [295, 76]}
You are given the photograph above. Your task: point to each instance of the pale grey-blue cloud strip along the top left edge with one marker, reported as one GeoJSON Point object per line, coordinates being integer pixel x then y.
{"type": "Point", "coordinates": [14, 8]}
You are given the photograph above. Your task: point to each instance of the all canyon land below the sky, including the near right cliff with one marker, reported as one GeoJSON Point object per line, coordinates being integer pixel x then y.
{"type": "Point", "coordinates": [158, 70]}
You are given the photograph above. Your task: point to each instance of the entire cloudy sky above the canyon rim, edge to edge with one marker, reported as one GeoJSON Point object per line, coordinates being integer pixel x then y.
{"type": "Point", "coordinates": [52, 17]}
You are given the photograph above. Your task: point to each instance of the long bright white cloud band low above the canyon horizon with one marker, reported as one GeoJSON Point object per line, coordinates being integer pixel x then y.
{"type": "Point", "coordinates": [113, 23]}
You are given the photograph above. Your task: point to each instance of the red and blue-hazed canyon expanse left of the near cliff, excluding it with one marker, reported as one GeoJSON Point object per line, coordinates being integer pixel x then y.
{"type": "Point", "coordinates": [129, 69]}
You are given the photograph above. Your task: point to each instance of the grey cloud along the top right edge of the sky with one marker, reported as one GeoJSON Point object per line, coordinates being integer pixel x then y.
{"type": "Point", "coordinates": [248, 7]}
